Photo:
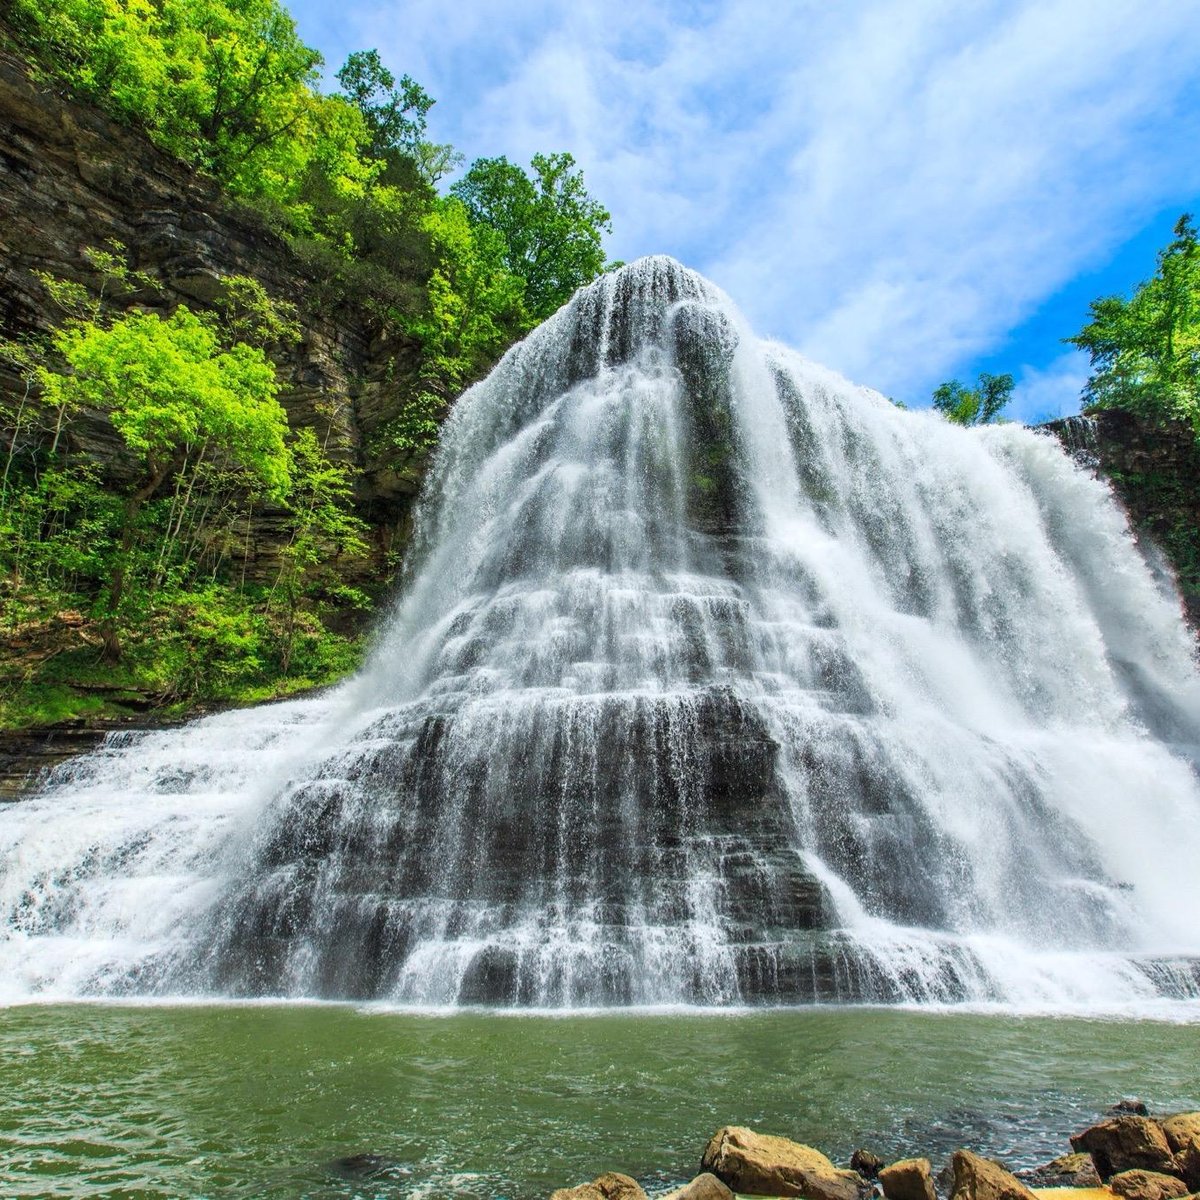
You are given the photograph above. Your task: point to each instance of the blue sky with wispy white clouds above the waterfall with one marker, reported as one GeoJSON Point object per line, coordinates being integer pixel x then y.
{"type": "Point", "coordinates": [908, 191]}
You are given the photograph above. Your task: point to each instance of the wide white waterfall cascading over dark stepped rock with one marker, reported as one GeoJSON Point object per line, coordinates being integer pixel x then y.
{"type": "Point", "coordinates": [715, 681]}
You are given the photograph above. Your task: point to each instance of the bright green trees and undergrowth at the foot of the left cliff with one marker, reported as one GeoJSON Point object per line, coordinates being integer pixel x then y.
{"type": "Point", "coordinates": [131, 586]}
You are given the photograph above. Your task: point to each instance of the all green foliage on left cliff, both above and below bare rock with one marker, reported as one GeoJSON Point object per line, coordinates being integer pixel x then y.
{"type": "Point", "coordinates": [147, 448]}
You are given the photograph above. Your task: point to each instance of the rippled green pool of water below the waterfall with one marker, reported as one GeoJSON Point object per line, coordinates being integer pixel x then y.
{"type": "Point", "coordinates": [257, 1102]}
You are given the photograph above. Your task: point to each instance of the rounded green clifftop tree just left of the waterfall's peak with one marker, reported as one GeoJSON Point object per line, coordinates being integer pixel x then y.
{"type": "Point", "coordinates": [553, 227]}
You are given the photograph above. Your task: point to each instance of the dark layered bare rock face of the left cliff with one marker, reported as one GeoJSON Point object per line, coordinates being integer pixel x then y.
{"type": "Point", "coordinates": [73, 179]}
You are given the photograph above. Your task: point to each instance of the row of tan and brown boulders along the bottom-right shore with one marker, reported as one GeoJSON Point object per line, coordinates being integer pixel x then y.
{"type": "Point", "coordinates": [1131, 1156]}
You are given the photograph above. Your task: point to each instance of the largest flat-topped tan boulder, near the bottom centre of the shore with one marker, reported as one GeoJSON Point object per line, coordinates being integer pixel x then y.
{"type": "Point", "coordinates": [766, 1166]}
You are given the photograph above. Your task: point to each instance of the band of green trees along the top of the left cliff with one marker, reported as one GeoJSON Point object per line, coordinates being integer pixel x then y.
{"type": "Point", "coordinates": [229, 87]}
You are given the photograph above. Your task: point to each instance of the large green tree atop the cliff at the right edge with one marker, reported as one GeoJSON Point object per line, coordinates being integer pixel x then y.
{"type": "Point", "coordinates": [1145, 351]}
